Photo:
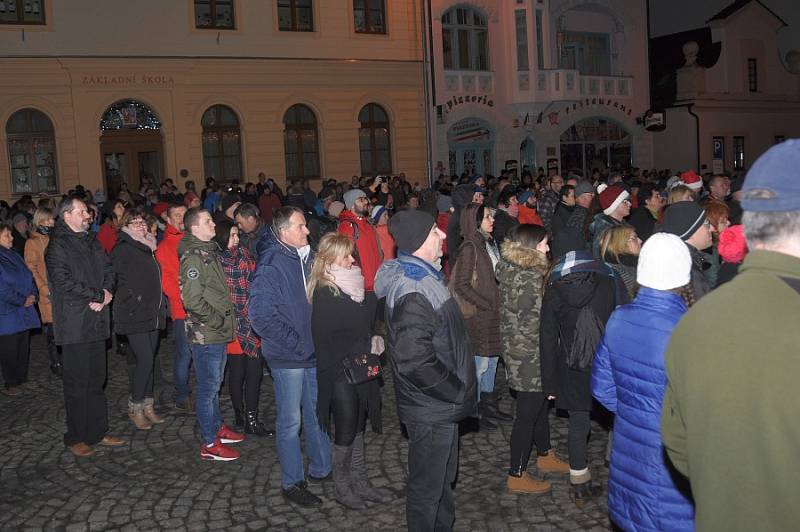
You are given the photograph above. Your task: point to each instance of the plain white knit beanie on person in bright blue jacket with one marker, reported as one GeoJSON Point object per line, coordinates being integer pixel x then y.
{"type": "Point", "coordinates": [664, 262]}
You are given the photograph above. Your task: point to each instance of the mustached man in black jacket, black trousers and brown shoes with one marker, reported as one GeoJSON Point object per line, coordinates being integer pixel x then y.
{"type": "Point", "coordinates": [81, 279]}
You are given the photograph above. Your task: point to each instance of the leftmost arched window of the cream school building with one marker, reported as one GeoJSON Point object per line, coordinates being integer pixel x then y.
{"type": "Point", "coordinates": [32, 152]}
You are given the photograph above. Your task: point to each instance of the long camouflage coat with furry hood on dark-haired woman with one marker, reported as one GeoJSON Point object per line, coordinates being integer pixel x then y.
{"type": "Point", "coordinates": [520, 273]}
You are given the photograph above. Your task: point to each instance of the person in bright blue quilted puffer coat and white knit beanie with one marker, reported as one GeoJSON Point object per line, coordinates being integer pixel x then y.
{"type": "Point", "coordinates": [628, 378]}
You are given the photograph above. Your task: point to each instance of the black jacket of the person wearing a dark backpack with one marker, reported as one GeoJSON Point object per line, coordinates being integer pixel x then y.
{"type": "Point", "coordinates": [563, 301]}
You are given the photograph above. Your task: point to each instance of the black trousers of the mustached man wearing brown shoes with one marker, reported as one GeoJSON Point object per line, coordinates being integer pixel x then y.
{"type": "Point", "coordinates": [84, 375]}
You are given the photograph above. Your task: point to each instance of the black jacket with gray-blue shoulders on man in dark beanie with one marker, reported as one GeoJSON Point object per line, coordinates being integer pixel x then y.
{"type": "Point", "coordinates": [432, 361]}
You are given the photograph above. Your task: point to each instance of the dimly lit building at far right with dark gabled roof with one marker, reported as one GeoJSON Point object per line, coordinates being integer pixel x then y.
{"type": "Point", "coordinates": [727, 93]}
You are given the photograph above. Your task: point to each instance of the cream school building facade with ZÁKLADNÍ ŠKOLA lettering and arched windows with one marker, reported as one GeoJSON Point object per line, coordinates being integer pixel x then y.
{"type": "Point", "coordinates": [189, 89]}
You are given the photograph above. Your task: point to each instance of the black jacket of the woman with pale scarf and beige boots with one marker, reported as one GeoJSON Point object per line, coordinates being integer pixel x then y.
{"type": "Point", "coordinates": [139, 304]}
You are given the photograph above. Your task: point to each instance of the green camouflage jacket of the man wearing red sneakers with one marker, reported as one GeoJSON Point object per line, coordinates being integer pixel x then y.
{"type": "Point", "coordinates": [209, 310]}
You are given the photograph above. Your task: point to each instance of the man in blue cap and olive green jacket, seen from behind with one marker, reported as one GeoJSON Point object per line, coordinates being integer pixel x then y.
{"type": "Point", "coordinates": [729, 418]}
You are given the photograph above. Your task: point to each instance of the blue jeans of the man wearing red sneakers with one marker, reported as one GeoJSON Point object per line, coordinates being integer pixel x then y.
{"type": "Point", "coordinates": [209, 366]}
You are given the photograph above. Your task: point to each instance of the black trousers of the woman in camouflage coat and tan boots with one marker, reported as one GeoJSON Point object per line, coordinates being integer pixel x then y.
{"type": "Point", "coordinates": [531, 426]}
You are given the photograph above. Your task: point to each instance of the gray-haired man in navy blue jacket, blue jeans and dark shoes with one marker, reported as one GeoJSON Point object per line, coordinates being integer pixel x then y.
{"type": "Point", "coordinates": [281, 315]}
